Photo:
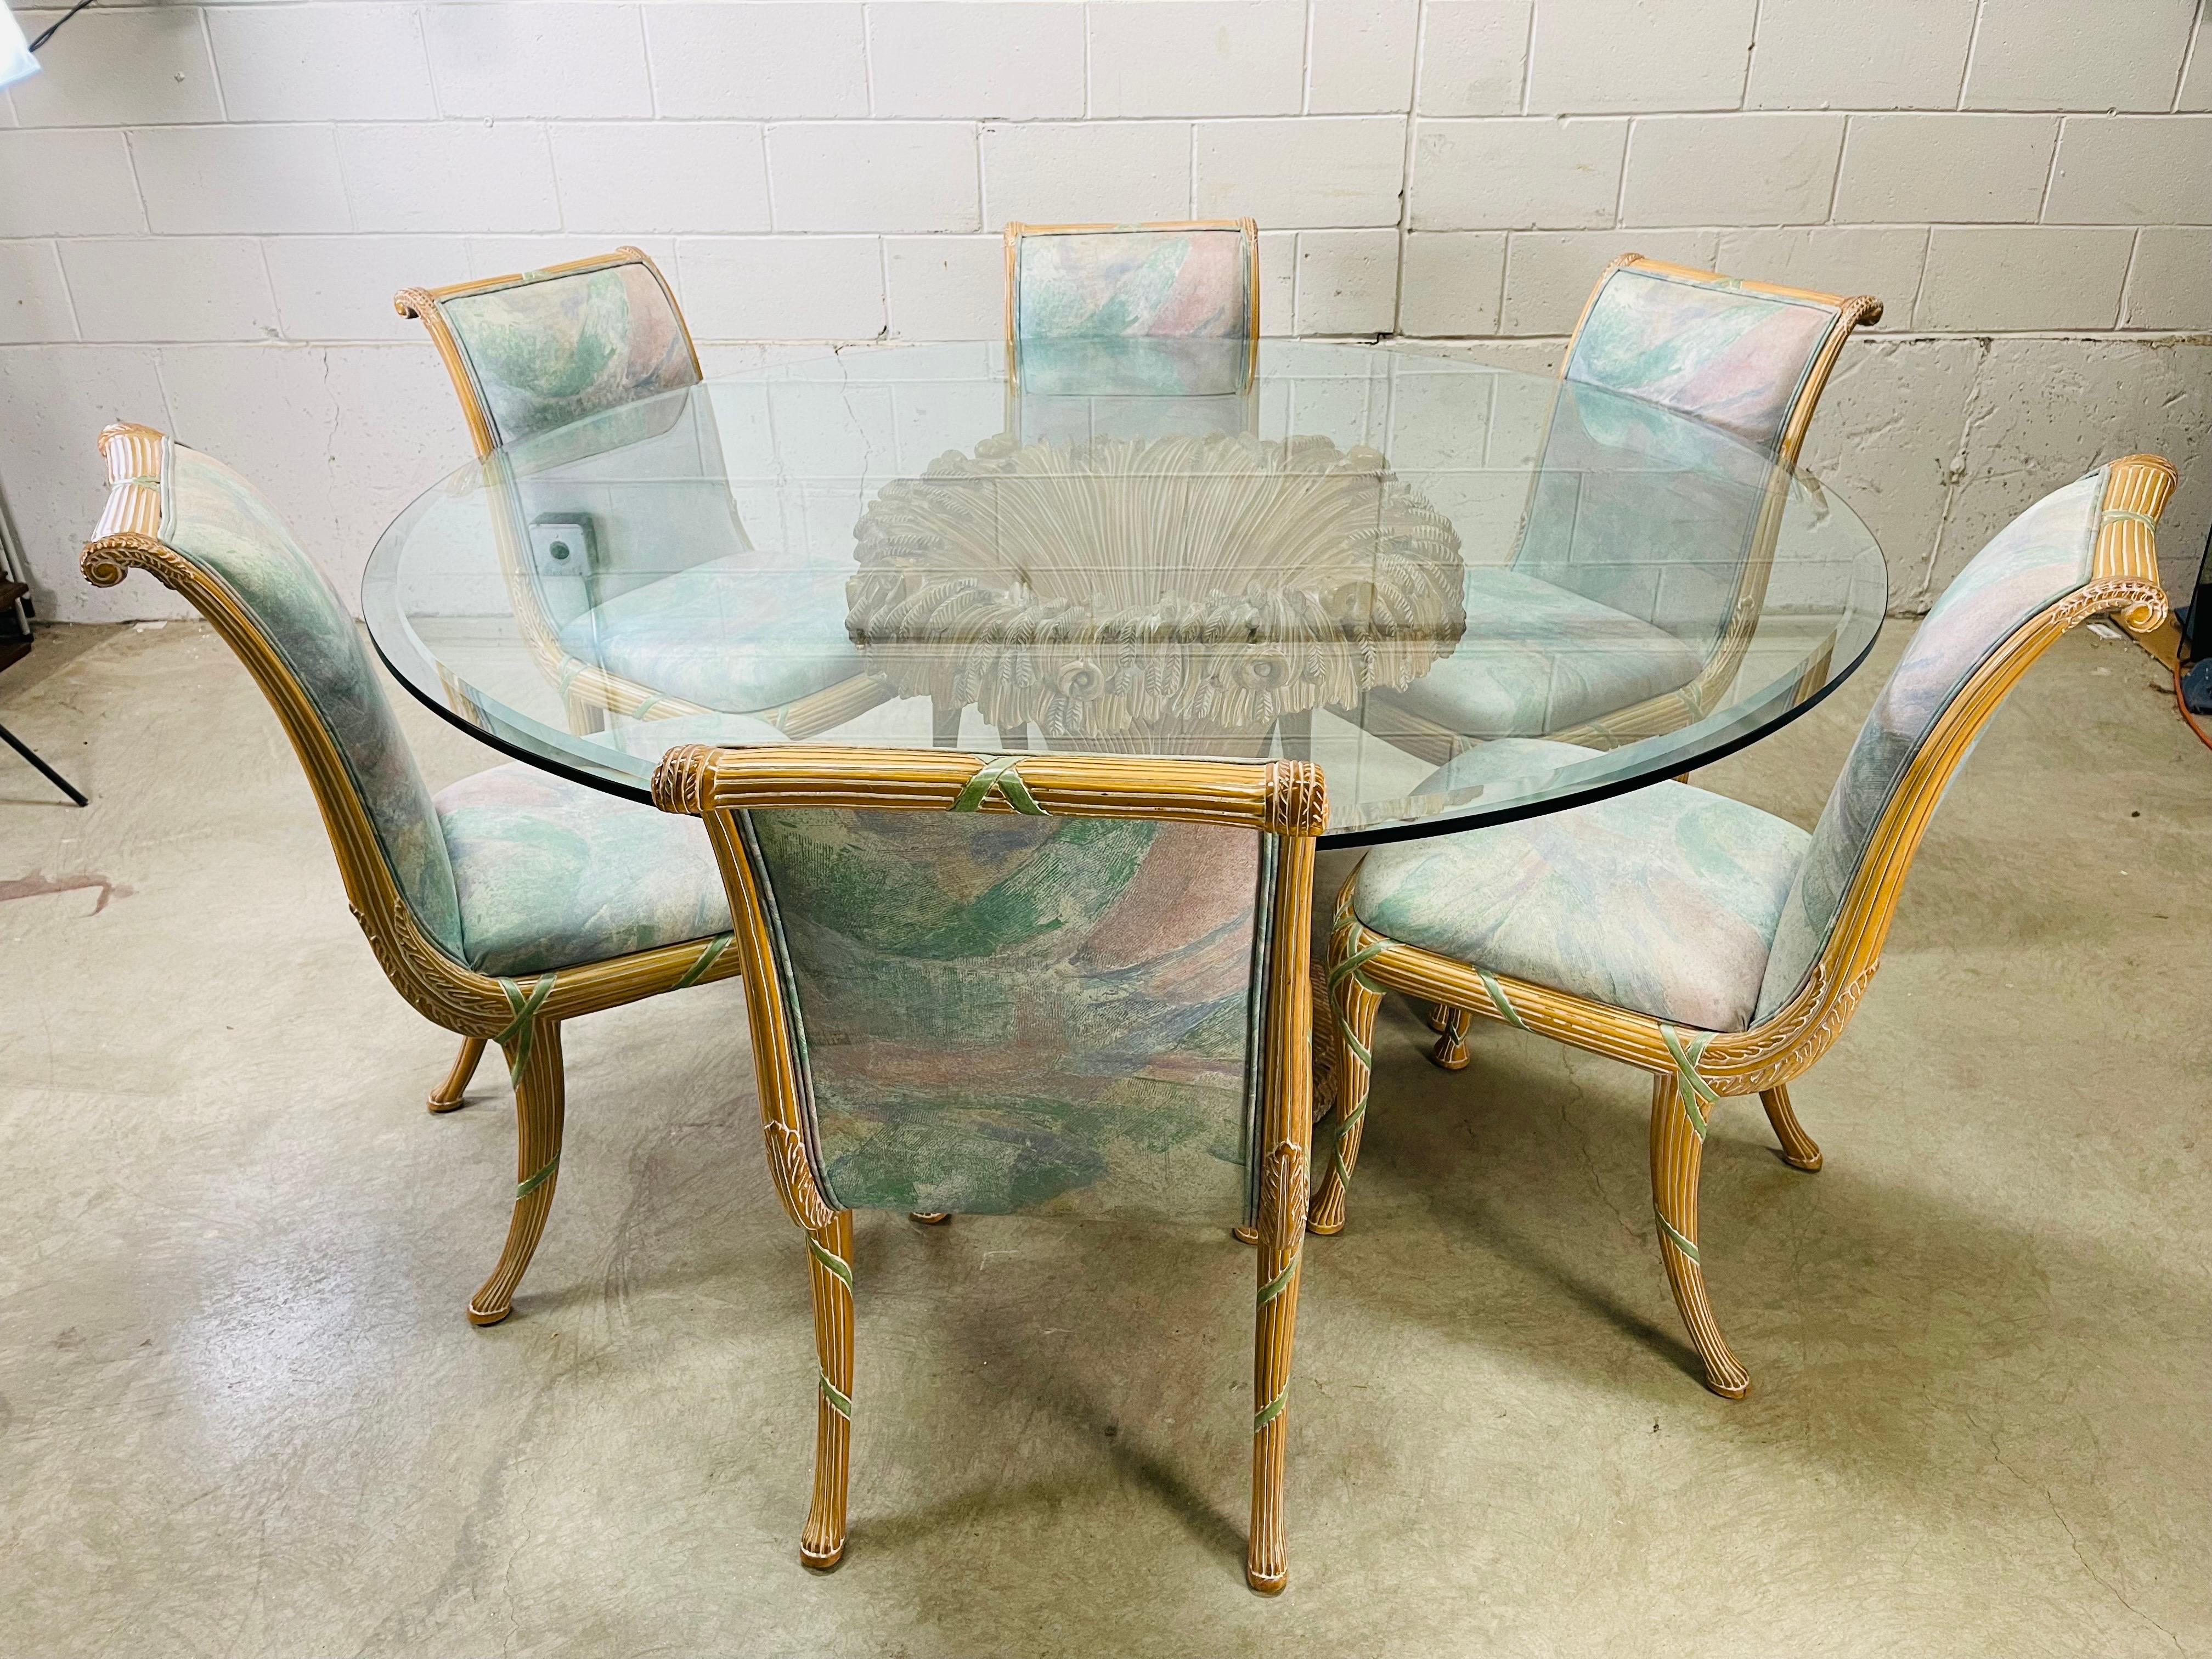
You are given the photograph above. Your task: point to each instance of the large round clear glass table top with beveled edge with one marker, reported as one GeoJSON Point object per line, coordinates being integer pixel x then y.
{"type": "Point", "coordinates": [1375, 559]}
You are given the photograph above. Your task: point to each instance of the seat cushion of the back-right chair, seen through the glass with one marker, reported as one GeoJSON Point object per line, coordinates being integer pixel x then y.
{"type": "Point", "coordinates": [1538, 658]}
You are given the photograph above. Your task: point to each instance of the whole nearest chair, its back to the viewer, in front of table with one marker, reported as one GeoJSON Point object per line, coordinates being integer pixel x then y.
{"type": "Point", "coordinates": [1025, 983]}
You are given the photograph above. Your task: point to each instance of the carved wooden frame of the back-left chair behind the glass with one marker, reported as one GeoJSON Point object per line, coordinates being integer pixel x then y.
{"type": "Point", "coordinates": [589, 691]}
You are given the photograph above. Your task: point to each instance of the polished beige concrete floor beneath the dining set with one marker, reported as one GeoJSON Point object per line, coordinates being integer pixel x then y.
{"type": "Point", "coordinates": [242, 1412]}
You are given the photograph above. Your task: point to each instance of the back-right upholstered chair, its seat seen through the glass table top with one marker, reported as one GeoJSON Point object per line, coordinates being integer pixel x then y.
{"type": "Point", "coordinates": [1583, 638]}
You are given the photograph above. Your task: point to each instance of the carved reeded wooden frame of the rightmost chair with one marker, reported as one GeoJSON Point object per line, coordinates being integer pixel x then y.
{"type": "Point", "coordinates": [1693, 1072]}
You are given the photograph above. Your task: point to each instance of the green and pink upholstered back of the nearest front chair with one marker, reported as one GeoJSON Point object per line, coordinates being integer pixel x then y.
{"type": "Point", "coordinates": [1019, 1001]}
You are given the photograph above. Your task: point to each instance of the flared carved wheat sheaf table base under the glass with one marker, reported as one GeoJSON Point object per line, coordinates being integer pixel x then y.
{"type": "Point", "coordinates": [1123, 587]}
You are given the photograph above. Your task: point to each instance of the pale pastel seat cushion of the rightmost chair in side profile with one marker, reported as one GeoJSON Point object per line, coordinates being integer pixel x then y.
{"type": "Point", "coordinates": [1662, 901]}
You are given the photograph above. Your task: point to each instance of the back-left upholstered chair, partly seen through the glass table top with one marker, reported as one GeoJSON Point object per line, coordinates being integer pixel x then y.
{"type": "Point", "coordinates": [576, 346]}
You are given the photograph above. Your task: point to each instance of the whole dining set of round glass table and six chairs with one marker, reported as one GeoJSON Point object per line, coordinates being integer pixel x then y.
{"type": "Point", "coordinates": [983, 707]}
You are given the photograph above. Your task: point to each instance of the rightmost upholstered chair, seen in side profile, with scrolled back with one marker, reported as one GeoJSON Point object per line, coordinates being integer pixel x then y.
{"type": "Point", "coordinates": [1700, 939]}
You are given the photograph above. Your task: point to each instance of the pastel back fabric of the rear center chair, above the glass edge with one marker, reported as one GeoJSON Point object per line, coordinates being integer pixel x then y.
{"type": "Point", "coordinates": [1094, 284]}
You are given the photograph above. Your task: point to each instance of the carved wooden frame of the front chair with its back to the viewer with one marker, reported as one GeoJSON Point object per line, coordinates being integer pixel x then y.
{"type": "Point", "coordinates": [1282, 797]}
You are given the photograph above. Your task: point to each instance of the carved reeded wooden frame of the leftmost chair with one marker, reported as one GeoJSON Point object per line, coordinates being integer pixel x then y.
{"type": "Point", "coordinates": [523, 1016]}
